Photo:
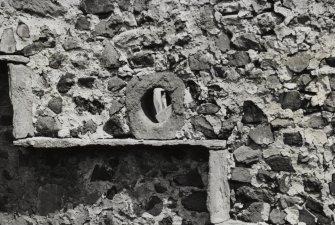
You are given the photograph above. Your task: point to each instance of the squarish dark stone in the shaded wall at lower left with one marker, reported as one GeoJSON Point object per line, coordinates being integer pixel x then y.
{"type": "Point", "coordinates": [49, 199]}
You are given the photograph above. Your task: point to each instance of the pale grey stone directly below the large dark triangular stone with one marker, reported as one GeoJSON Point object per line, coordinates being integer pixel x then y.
{"type": "Point", "coordinates": [262, 135]}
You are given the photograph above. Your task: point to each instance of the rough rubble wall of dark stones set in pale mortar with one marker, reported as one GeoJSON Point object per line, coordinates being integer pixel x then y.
{"type": "Point", "coordinates": [259, 74]}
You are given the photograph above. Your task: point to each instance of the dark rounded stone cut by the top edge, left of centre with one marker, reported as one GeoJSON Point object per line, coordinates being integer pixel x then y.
{"type": "Point", "coordinates": [97, 6]}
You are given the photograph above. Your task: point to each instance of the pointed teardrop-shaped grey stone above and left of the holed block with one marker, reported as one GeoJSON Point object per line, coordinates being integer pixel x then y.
{"type": "Point", "coordinates": [110, 57]}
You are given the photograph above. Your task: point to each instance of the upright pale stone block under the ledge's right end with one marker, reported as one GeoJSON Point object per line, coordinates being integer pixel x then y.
{"type": "Point", "coordinates": [218, 200]}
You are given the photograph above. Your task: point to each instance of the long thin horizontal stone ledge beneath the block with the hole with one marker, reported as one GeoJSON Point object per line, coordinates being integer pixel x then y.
{"type": "Point", "coordinates": [45, 142]}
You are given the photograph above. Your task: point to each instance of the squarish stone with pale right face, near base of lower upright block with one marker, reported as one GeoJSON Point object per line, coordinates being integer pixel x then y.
{"type": "Point", "coordinates": [256, 212]}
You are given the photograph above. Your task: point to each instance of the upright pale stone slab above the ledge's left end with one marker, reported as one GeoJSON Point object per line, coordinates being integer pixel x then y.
{"type": "Point", "coordinates": [21, 97]}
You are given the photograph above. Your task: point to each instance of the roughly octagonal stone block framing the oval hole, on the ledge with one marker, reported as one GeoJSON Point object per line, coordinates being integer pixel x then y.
{"type": "Point", "coordinates": [140, 124]}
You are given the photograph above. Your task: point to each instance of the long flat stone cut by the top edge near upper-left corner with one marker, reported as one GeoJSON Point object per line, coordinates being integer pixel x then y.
{"type": "Point", "coordinates": [52, 8]}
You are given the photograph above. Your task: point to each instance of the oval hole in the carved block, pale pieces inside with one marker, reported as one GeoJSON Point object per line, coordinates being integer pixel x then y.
{"type": "Point", "coordinates": [156, 105]}
